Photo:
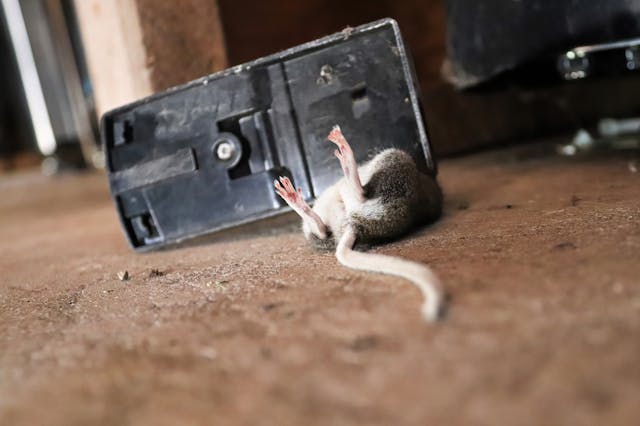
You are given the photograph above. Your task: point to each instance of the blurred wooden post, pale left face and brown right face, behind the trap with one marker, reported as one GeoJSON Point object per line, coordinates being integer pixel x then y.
{"type": "Point", "coordinates": [137, 47]}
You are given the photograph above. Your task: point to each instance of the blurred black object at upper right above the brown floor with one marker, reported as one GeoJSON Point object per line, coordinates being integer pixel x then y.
{"type": "Point", "coordinates": [480, 49]}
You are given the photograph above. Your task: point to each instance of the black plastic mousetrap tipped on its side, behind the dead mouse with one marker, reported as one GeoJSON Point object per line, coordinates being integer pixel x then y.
{"type": "Point", "coordinates": [202, 157]}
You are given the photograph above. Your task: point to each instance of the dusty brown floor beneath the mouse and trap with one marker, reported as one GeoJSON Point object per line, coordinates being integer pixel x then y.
{"type": "Point", "coordinates": [540, 256]}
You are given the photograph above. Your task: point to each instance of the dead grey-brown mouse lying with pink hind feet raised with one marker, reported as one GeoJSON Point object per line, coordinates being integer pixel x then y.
{"type": "Point", "coordinates": [376, 202]}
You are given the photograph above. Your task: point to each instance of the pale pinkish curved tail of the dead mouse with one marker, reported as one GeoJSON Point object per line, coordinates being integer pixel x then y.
{"type": "Point", "coordinates": [420, 275]}
